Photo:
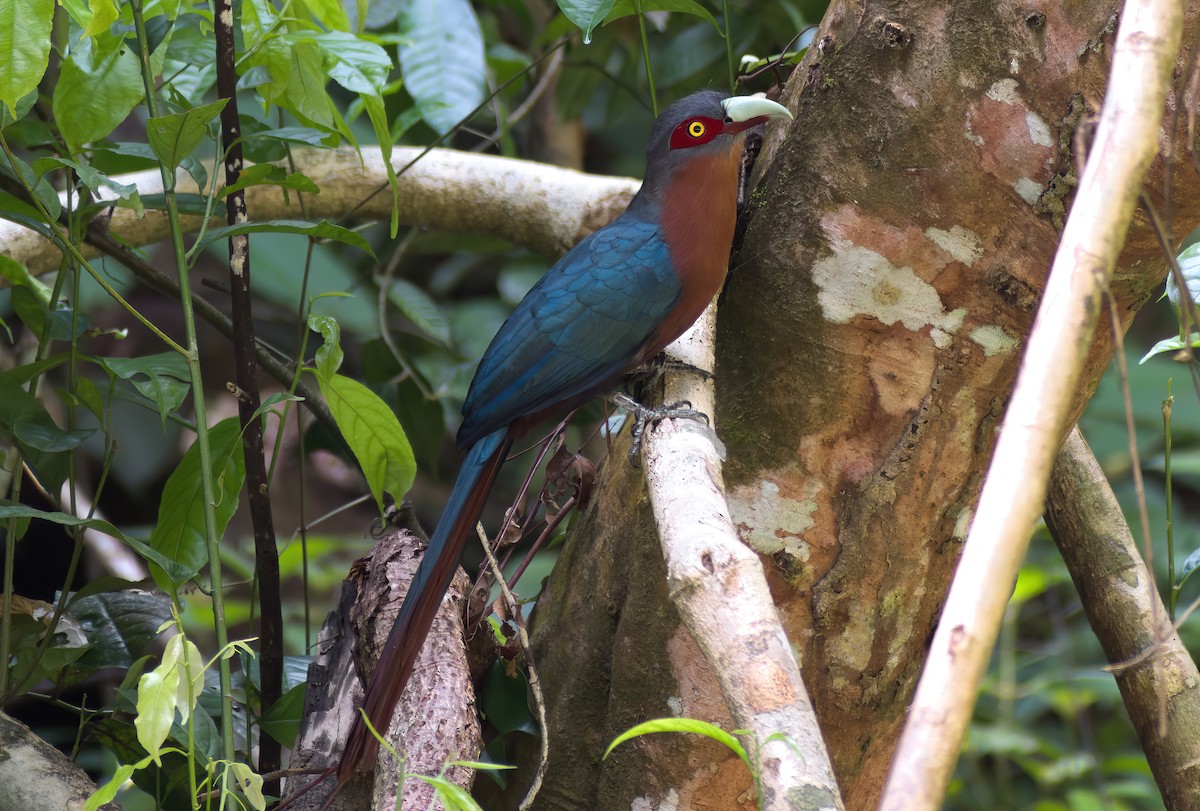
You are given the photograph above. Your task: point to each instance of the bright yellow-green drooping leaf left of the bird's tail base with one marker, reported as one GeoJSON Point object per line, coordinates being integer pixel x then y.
{"type": "Point", "coordinates": [374, 435]}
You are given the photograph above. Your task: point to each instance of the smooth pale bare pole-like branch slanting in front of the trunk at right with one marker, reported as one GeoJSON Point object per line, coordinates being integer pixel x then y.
{"type": "Point", "coordinates": [1036, 420]}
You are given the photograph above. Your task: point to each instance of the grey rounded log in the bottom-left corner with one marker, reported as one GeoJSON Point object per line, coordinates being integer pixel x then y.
{"type": "Point", "coordinates": [35, 777]}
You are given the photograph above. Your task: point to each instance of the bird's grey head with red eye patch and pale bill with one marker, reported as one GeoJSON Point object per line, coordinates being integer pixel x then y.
{"type": "Point", "coordinates": [704, 124]}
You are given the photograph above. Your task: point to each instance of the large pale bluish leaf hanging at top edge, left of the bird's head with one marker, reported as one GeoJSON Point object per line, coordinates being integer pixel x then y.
{"type": "Point", "coordinates": [443, 65]}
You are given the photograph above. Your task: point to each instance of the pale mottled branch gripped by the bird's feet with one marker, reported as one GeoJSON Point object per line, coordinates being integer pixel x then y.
{"type": "Point", "coordinates": [719, 588]}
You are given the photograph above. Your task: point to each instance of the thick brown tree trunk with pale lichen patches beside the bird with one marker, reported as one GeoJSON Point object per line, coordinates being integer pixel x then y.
{"type": "Point", "coordinates": [893, 261]}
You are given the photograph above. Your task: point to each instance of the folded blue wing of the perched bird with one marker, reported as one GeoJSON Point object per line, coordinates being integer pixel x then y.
{"type": "Point", "coordinates": [578, 329]}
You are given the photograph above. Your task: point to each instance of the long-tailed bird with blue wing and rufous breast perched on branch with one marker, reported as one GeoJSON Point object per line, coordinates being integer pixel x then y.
{"type": "Point", "coordinates": [611, 304]}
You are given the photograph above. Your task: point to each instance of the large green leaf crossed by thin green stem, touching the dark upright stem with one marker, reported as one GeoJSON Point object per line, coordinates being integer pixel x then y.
{"type": "Point", "coordinates": [181, 534]}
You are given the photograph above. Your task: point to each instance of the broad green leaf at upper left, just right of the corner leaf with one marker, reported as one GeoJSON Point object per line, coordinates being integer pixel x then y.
{"type": "Point", "coordinates": [95, 93]}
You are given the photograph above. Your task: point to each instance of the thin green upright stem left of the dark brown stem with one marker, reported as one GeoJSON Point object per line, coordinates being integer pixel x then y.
{"type": "Point", "coordinates": [193, 356]}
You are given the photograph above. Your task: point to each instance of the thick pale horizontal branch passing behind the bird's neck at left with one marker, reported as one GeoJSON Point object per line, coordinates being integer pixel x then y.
{"type": "Point", "coordinates": [539, 207]}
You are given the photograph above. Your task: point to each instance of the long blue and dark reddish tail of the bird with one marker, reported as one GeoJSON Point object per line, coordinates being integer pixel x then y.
{"type": "Point", "coordinates": [430, 584]}
